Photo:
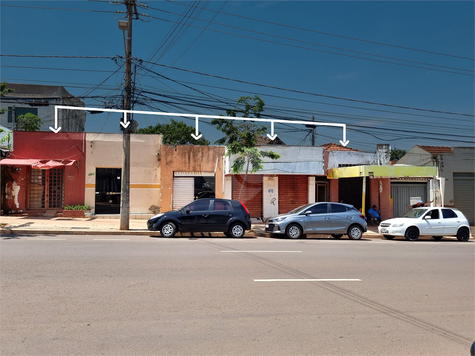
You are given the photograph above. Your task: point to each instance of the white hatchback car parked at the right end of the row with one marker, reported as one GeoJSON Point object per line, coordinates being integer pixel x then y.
{"type": "Point", "coordinates": [435, 222]}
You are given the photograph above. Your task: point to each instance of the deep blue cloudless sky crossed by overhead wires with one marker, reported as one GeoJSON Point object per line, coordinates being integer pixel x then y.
{"type": "Point", "coordinates": [396, 72]}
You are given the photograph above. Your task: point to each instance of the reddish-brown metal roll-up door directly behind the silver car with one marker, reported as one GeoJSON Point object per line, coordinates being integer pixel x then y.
{"type": "Point", "coordinates": [293, 192]}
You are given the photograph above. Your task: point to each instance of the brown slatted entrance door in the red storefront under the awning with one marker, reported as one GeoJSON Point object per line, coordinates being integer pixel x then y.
{"type": "Point", "coordinates": [46, 189]}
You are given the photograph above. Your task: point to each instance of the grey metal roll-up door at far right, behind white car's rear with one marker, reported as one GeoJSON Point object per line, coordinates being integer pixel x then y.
{"type": "Point", "coordinates": [464, 194]}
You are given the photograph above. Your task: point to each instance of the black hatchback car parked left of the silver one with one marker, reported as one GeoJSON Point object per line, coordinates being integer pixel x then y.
{"type": "Point", "coordinates": [204, 215]}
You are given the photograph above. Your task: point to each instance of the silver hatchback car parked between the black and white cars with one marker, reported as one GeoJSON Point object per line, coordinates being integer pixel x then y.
{"type": "Point", "coordinates": [335, 219]}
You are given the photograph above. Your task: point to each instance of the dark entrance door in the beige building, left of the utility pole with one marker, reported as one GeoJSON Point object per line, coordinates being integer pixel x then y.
{"type": "Point", "coordinates": [108, 190]}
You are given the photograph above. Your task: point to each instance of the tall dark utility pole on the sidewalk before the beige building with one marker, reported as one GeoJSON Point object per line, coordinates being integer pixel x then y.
{"type": "Point", "coordinates": [125, 181]}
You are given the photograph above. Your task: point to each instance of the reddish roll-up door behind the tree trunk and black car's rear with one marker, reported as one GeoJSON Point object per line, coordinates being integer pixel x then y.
{"type": "Point", "coordinates": [251, 194]}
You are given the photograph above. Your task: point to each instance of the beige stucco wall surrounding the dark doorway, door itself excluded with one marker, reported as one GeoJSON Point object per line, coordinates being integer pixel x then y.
{"type": "Point", "coordinates": [105, 151]}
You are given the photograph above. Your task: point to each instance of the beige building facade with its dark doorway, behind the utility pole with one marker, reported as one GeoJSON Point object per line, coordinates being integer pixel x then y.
{"type": "Point", "coordinates": [103, 173]}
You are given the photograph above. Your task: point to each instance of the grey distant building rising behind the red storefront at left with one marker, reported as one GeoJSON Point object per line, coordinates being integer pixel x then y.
{"type": "Point", "coordinates": [41, 100]}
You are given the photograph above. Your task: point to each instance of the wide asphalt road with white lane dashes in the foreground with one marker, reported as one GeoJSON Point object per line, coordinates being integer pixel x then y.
{"type": "Point", "coordinates": [138, 295]}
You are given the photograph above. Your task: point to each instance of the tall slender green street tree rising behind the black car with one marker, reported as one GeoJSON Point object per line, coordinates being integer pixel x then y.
{"type": "Point", "coordinates": [241, 136]}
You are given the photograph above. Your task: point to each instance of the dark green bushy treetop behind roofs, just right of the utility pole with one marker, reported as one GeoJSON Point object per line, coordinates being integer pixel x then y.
{"type": "Point", "coordinates": [175, 133]}
